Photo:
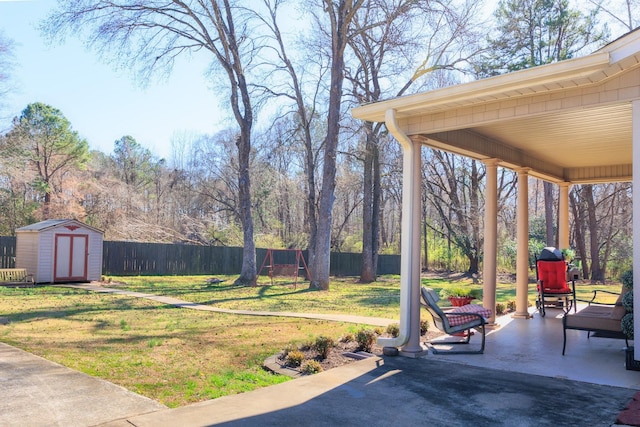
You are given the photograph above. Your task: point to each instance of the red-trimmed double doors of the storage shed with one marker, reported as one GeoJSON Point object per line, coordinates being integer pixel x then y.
{"type": "Point", "coordinates": [71, 253]}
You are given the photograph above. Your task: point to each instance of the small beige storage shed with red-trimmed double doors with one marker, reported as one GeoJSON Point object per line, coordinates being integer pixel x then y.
{"type": "Point", "coordinates": [60, 250]}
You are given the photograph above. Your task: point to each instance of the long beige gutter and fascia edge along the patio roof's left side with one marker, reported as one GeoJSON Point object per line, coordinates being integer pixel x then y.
{"type": "Point", "coordinates": [538, 76]}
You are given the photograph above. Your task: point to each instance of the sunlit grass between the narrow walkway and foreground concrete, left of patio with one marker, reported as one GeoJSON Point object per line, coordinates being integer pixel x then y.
{"type": "Point", "coordinates": [175, 356]}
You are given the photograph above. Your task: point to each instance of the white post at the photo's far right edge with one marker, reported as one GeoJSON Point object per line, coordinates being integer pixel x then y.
{"type": "Point", "coordinates": [636, 217]}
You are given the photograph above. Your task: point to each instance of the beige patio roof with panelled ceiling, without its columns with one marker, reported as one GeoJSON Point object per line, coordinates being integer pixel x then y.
{"type": "Point", "coordinates": [569, 121]}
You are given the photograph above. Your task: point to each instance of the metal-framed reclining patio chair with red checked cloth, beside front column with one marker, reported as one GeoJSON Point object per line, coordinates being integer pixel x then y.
{"type": "Point", "coordinates": [460, 320]}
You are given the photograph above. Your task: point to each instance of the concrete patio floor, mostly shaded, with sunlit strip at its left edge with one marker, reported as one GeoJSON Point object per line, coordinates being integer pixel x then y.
{"type": "Point", "coordinates": [522, 380]}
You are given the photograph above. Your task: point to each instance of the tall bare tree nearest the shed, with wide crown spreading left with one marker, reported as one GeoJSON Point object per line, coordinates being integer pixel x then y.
{"type": "Point", "coordinates": [153, 34]}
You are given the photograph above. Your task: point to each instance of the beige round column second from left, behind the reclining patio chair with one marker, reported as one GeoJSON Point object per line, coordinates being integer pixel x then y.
{"type": "Point", "coordinates": [490, 255]}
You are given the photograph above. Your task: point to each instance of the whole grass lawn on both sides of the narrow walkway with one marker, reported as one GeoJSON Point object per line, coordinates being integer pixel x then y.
{"type": "Point", "coordinates": [179, 356]}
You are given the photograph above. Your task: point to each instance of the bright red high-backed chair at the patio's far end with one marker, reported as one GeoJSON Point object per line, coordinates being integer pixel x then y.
{"type": "Point", "coordinates": [553, 288]}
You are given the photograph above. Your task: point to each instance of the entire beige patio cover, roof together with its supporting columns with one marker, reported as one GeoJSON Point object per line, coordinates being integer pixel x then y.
{"type": "Point", "coordinates": [571, 122]}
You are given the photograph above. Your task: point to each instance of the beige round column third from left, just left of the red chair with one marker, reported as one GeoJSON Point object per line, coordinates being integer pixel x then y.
{"type": "Point", "coordinates": [522, 237]}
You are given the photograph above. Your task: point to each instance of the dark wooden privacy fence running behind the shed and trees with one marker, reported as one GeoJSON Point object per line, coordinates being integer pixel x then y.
{"type": "Point", "coordinates": [135, 258]}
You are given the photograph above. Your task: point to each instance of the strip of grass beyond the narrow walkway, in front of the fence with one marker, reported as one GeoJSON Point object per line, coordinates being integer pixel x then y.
{"type": "Point", "coordinates": [345, 295]}
